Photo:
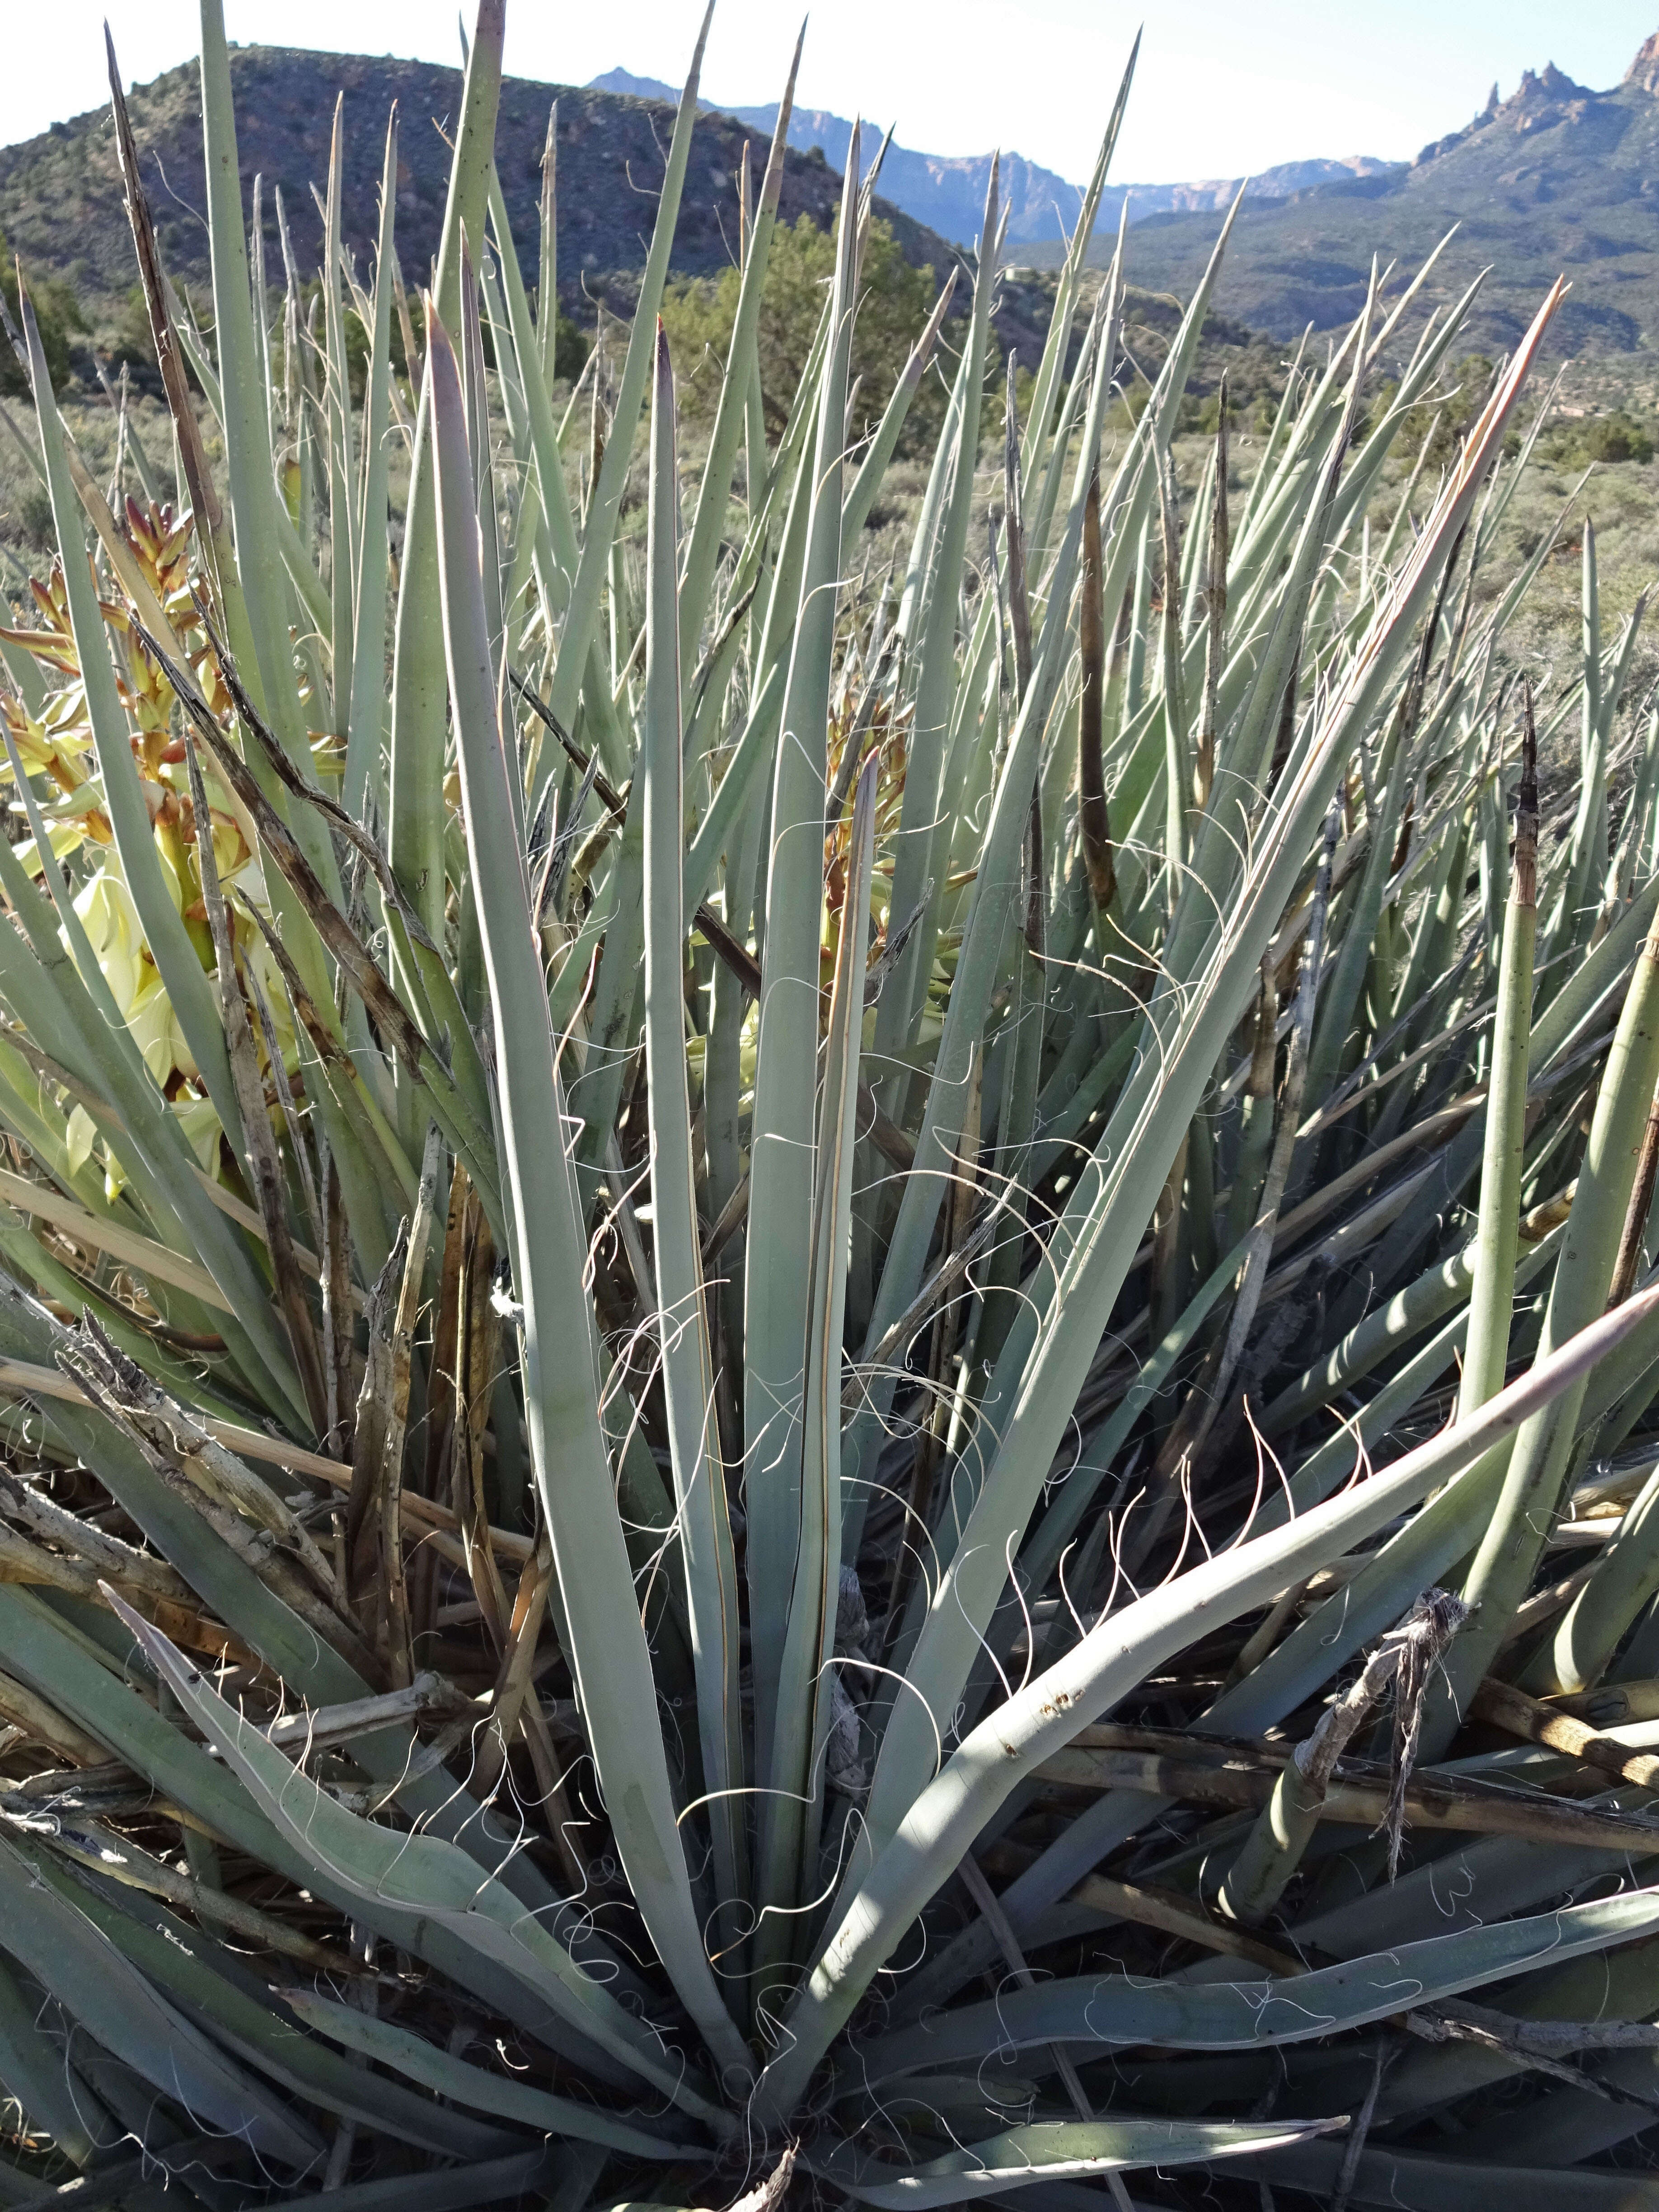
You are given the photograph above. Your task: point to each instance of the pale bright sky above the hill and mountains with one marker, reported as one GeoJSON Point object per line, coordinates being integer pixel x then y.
{"type": "Point", "coordinates": [1222, 90]}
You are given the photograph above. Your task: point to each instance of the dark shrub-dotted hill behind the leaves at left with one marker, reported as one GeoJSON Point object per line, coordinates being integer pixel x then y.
{"type": "Point", "coordinates": [61, 198]}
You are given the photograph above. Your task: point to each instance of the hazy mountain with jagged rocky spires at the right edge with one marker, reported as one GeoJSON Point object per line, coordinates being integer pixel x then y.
{"type": "Point", "coordinates": [1558, 178]}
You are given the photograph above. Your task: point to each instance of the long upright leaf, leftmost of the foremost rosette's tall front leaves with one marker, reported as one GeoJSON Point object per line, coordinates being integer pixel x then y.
{"type": "Point", "coordinates": [550, 1251]}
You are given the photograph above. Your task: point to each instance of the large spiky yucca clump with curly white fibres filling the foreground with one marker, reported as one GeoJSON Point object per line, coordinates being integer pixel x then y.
{"type": "Point", "coordinates": [744, 1324]}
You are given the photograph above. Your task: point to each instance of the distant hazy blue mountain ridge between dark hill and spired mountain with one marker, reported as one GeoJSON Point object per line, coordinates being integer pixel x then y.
{"type": "Point", "coordinates": [948, 191]}
